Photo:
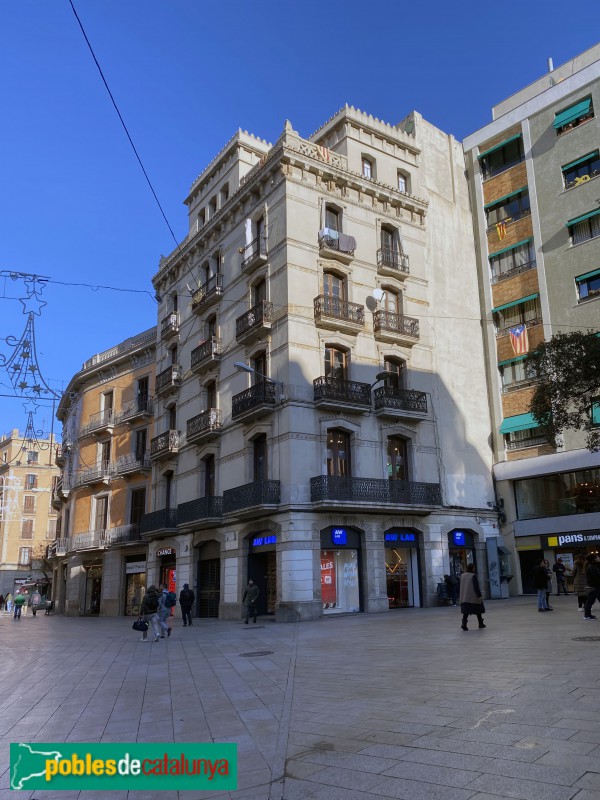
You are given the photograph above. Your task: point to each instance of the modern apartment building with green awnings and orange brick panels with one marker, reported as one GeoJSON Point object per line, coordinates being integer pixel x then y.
{"type": "Point", "coordinates": [536, 210]}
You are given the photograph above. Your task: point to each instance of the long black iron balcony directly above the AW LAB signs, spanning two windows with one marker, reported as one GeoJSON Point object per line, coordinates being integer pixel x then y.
{"type": "Point", "coordinates": [331, 490]}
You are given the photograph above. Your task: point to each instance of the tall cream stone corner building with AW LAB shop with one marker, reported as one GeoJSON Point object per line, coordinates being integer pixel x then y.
{"type": "Point", "coordinates": [328, 433]}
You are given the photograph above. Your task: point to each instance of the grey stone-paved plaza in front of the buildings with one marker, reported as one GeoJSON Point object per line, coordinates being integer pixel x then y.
{"type": "Point", "coordinates": [398, 705]}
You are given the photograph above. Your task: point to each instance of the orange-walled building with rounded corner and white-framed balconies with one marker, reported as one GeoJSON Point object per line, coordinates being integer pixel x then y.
{"type": "Point", "coordinates": [103, 491]}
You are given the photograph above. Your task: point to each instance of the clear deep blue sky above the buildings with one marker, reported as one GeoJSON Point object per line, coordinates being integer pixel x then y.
{"type": "Point", "coordinates": [74, 205]}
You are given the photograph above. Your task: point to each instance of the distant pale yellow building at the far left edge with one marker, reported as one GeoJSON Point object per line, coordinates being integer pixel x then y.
{"type": "Point", "coordinates": [27, 517]}
